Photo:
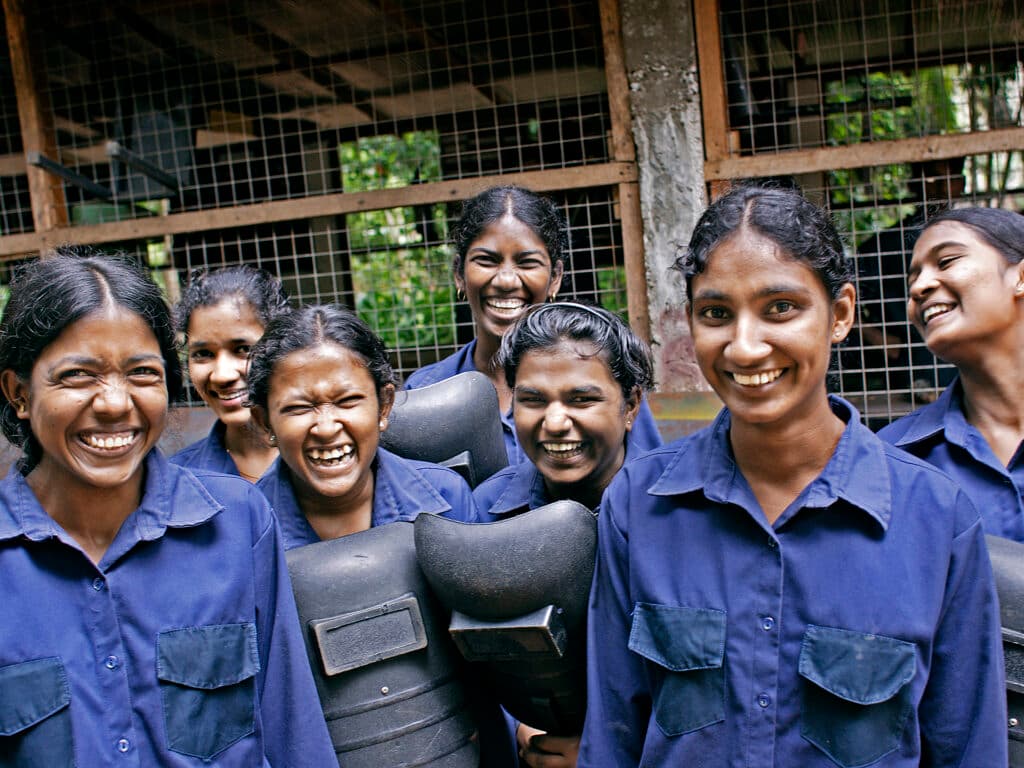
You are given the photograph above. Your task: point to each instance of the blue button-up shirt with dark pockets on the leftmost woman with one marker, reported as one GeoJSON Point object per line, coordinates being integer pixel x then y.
{"type": "Point", "coordinates": [181, 649]}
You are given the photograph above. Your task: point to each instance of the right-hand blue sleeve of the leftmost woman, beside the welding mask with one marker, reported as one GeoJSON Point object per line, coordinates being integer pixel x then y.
{"type": "Point", "coordinates": [294, 730]}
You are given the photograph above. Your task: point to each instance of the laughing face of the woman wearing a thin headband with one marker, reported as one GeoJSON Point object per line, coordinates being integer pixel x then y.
{"type": "Point", "coordinates": [571, 416]}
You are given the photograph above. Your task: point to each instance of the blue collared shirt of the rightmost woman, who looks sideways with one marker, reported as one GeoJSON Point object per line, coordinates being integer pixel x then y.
{"type": "Point", "coordinates": [940, 434]}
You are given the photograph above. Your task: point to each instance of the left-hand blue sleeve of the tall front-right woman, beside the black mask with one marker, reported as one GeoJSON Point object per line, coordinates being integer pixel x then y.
{"type": "Point", "coordinates": [618, 704]}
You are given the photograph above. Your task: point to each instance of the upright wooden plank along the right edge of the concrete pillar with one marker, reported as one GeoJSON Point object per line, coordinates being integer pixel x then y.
{"type": "Point", "coordinates": [714, 102]}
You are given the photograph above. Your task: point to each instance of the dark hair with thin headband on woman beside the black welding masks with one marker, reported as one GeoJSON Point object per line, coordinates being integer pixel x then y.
{"type": "Point", "coordinates": [546, 326]}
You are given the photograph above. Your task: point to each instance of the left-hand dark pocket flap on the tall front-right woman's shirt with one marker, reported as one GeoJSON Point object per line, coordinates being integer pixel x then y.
{"type": "Point", "coordinates": [679, 638]}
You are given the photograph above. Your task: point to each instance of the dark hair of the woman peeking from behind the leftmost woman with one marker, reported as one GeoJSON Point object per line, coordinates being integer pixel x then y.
{"type": "Point", "coordinates": [258, 288]}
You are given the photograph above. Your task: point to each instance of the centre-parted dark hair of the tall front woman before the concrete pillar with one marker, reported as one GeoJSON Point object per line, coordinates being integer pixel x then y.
{"type": "Point", "coordinates": [802, 230]}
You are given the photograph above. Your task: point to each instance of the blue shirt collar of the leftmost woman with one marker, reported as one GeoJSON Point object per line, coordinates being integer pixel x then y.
{"type": "Point", "coordinates": [21, 514]}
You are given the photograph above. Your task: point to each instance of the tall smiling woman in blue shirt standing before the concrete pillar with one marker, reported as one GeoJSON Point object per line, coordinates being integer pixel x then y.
{"type": "Point", "coordinates": [740, 567]}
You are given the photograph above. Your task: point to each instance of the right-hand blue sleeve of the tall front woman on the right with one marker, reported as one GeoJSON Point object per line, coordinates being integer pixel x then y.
{"type": "Point", "coordinates": [964, 710]}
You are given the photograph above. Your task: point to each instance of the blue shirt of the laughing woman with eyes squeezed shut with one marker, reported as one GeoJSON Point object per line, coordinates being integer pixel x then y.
{"type": "Point", "coordinates": [403, 489]}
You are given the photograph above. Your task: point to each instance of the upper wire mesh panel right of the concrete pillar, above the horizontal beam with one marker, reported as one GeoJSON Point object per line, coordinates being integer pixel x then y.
{"type": "Point", "coordinates": [804, 74]}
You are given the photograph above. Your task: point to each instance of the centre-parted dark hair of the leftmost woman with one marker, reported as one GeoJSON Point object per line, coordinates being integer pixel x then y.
{"type": "Point", "coordinates": [52, 294]}
